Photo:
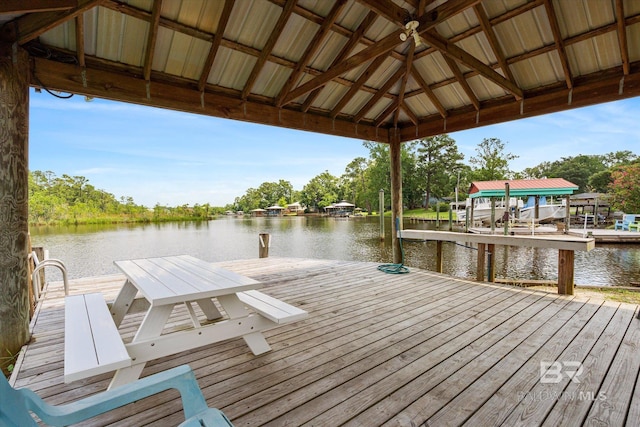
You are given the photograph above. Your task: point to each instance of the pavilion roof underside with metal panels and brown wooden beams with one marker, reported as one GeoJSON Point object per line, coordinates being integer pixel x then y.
{"type": "Point", "coordinates": [366, 69]}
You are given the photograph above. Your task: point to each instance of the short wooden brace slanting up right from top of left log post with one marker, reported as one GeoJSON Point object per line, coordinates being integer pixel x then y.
{"type": "Point", "coordinates": [32, 25]}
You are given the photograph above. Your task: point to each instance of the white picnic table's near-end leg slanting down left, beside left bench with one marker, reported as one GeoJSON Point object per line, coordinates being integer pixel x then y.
{"type": "Point", "coordinates": [151, 327]}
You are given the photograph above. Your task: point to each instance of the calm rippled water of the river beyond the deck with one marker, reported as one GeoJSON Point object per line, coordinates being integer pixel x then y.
{"type": "Point", "coordinates": [91, 250]}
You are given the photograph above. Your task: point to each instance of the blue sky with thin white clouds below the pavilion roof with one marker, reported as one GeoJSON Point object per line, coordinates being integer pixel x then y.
{"type": "Point", "coordinates": [173, 158]}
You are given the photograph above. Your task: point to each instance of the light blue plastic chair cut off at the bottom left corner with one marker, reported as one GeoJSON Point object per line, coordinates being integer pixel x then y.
{"type": "Point", "coordinates": [15, 404]}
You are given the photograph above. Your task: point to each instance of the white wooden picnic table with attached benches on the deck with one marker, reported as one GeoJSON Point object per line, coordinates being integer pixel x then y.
{"type": "Point", "coordinates": [165, 282]}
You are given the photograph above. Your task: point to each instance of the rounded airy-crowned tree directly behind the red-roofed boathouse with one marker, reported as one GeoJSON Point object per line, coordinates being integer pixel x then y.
{"type": "Point", "coordinates": [491, 162]}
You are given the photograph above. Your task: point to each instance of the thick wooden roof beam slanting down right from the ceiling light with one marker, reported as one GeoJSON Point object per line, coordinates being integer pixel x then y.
{"type": "Point", "coordinates": [460, 55]}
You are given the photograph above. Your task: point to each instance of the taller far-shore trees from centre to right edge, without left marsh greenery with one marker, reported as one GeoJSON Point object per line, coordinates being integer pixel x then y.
{"type": "Point", "coordinates": [433, 169]}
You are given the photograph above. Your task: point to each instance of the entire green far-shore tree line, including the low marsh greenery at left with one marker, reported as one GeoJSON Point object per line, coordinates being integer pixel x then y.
{"type": "Point", "coordinates": [432, 169]}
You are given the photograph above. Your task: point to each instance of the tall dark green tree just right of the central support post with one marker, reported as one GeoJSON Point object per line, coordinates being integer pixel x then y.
{"type": "Point", "coordinates": [439, 159]}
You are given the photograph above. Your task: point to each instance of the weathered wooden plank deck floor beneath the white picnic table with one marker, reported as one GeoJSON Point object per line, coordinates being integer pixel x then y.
{"type": "Point", "coordinates": [380, 349]}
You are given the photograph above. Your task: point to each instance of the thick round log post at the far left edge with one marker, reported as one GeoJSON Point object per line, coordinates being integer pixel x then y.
{"type": "Point", "coordinates": [14, 178]}
